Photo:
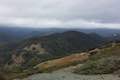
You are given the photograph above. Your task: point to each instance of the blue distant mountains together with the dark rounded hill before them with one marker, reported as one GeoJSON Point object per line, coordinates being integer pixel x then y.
{"type": "Point", "coordinates": [55, 40]}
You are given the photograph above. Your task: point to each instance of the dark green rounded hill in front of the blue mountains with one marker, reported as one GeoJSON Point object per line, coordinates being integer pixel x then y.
{"type": "Point", "coordinates": [68, 42]}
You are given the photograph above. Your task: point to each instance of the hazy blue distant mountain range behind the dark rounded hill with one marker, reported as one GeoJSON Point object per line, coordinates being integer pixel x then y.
{"type": "Point", "coordinates": [10, 34]}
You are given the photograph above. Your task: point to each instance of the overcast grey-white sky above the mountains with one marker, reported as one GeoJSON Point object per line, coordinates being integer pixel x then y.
{"type": "Point", "coordinates": [61, 13]}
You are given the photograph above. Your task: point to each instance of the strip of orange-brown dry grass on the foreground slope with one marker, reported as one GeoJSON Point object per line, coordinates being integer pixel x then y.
{"type": "Point", "coordinates": [62, 62]}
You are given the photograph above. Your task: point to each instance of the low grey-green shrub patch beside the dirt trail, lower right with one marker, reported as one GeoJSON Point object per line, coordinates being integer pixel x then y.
{"type": "Point", "coordinates": [101, 66]}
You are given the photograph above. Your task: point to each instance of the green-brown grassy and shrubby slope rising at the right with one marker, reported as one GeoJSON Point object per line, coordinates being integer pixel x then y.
{"type": "Point", "coordinates": [105, 62]}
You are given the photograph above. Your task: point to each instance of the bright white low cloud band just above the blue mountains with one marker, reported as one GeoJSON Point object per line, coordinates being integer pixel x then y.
{"type": "Point", "coordinates": [46, 23]}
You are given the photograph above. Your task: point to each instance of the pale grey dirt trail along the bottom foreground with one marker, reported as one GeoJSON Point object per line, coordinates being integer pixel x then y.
{"type": "Point", "coordinates": [66, 74]}
